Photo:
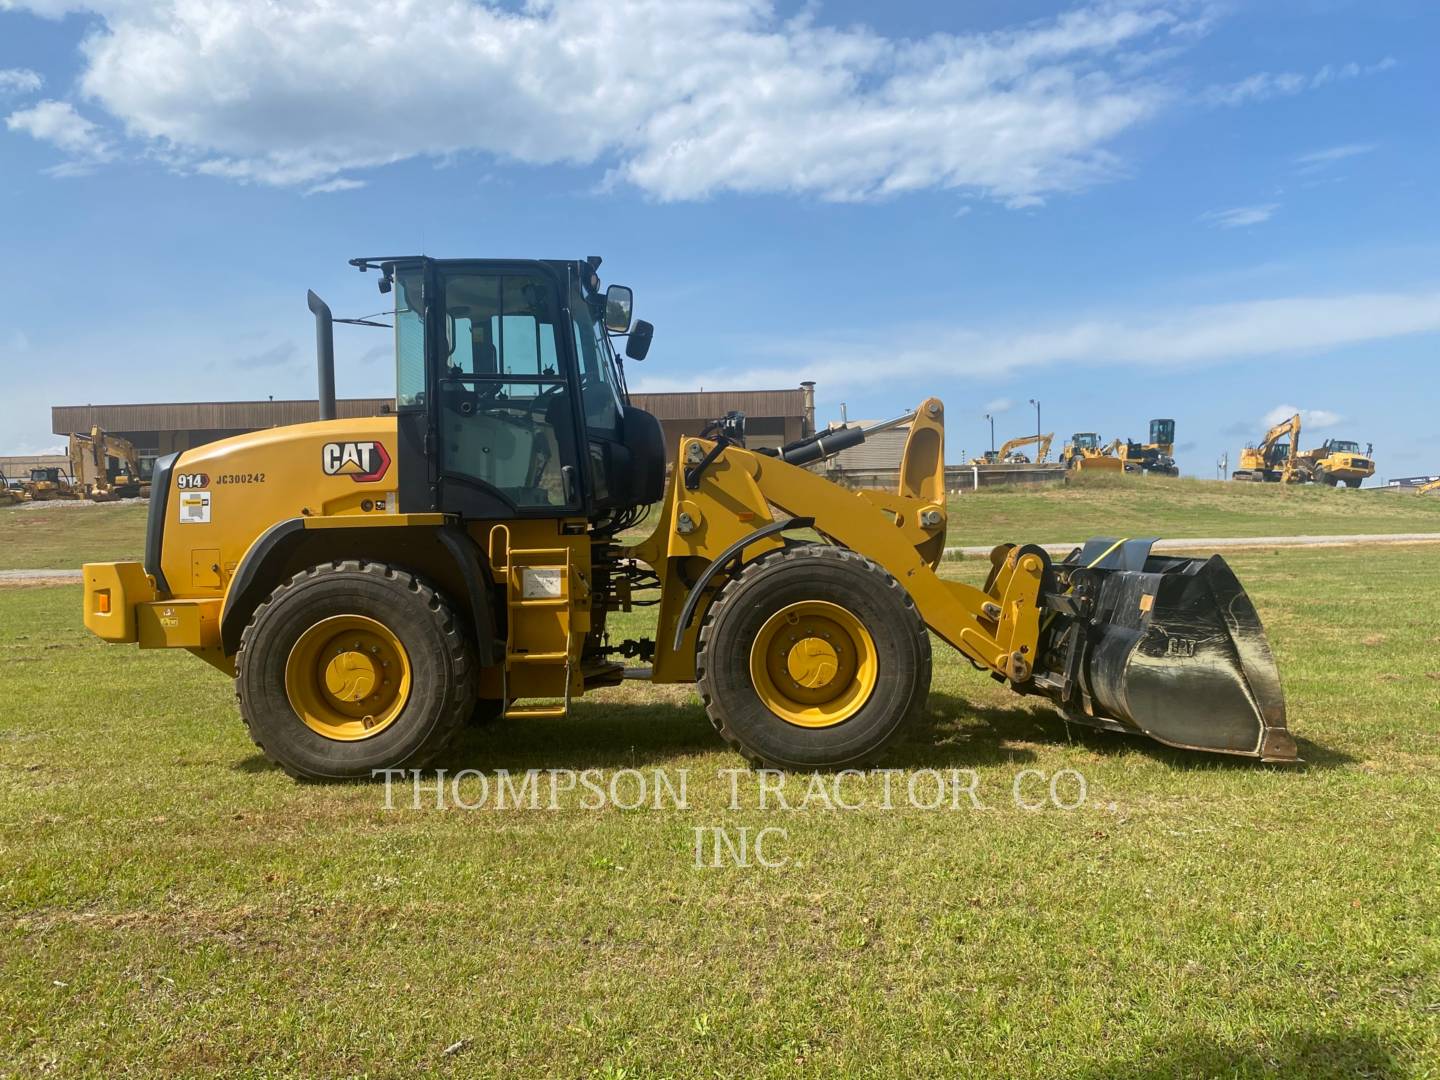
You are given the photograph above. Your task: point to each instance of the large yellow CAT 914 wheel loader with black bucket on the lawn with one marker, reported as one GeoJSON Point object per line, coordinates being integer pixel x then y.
{"type": "Point", "coordinates": [372, 584]}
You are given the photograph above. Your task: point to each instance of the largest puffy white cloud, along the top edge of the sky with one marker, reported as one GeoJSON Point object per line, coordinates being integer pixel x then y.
{"type": "Point", "coordinates": [683, 99]}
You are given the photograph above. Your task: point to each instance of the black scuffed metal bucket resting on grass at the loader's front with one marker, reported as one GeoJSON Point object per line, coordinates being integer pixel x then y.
{"type": "Point", "coordinates": [1177, 652]}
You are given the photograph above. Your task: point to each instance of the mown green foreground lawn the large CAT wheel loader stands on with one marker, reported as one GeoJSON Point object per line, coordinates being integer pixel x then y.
{"type": "Point", "coordinates": [171, 904]}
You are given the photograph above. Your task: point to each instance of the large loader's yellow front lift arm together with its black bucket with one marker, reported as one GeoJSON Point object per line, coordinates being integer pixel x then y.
{"type": "Point", "coordinates": [1101, 636]}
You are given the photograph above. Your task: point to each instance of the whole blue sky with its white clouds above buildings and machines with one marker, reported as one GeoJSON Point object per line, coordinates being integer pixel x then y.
{"type": "Point", "coordinates": [1203, 211]}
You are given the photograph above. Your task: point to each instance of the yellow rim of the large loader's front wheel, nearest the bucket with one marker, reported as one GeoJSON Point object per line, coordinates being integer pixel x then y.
{"type": "Point", "coordinates": [814, 665]}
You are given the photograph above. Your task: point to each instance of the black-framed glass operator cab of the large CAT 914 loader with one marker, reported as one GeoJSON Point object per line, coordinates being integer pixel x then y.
{"type": "Point", "coordinates": [510, 397]}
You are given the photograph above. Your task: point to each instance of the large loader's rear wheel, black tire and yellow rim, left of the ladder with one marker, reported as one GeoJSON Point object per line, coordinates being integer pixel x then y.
{"type": "Point", "coordinates": [354, 667]}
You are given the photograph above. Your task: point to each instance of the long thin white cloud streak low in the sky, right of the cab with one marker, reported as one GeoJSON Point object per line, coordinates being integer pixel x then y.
{"type": "Point", "coordinates": [1177, 339]}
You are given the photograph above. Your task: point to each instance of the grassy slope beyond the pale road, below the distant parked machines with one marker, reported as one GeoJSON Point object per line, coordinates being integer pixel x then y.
{"type": "Point", "coordinates": [58, 538]}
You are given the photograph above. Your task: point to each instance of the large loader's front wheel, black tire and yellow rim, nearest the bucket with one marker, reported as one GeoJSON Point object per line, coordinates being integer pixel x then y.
{"type": "Point", "coordinates": [837, 621]}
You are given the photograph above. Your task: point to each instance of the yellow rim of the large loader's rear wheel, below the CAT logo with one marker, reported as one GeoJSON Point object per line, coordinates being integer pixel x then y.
{"type": "Point", "coordinates": [348, 678]}
